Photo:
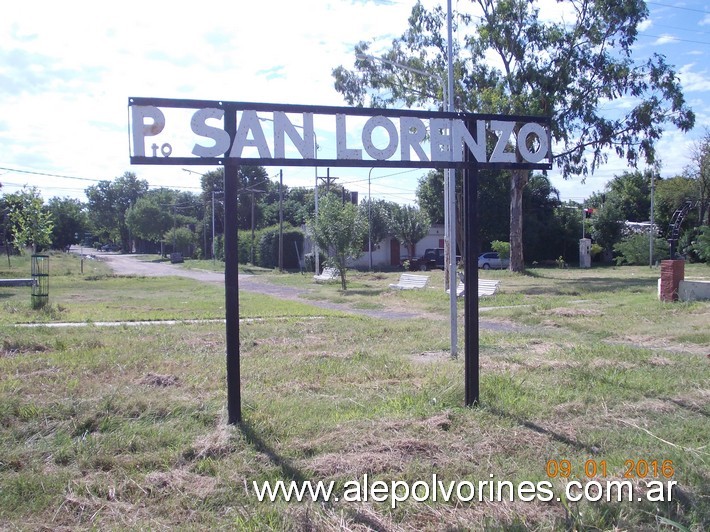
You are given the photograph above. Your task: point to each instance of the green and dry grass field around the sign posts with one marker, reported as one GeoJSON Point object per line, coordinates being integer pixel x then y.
{"type": "Point", "coordinates": [123, 427]}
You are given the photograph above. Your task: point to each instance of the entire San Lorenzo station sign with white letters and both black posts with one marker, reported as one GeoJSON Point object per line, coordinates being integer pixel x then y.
{"type": "Point", "coordinates": [230, 134]}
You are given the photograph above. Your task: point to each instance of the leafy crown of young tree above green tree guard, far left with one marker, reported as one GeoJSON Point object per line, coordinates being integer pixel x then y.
{"type": "Point", "coordinates": [31, 223]}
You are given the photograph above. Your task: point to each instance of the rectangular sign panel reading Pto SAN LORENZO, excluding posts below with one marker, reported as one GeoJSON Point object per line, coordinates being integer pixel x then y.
{"type": "Point", "coordinates": [183, 132]}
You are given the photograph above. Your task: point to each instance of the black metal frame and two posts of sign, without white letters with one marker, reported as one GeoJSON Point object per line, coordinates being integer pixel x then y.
{"type": "Point", "coordinates": [231, 164]}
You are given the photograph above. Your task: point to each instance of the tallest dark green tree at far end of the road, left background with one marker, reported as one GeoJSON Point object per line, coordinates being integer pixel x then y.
{"type": "Point", "coordinates": [108, 205]}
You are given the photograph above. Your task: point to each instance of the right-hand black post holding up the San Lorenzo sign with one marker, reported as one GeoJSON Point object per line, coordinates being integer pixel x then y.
{"type": "Point", "coordinates": [471, 337]}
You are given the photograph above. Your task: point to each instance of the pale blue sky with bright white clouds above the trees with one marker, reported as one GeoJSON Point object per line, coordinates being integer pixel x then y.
{"type": "Point", "coordinates": [67, 70]}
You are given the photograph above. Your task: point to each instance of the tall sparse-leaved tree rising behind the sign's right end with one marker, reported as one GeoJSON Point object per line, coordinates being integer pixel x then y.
{"type": "Point", "coordinates": [514, 61]}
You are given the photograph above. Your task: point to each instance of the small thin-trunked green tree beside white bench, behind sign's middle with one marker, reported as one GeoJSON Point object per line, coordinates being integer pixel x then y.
{"type": "Point", "coordinates": [340, 228]}
